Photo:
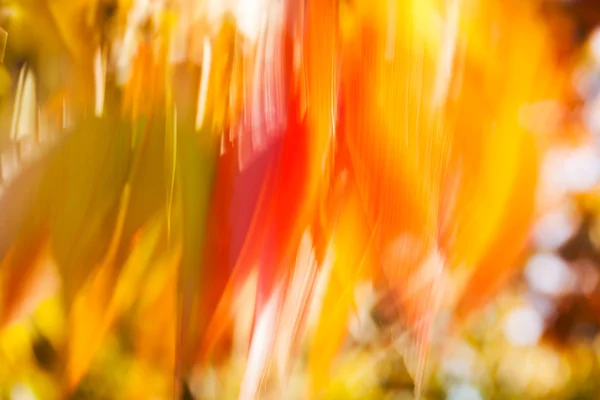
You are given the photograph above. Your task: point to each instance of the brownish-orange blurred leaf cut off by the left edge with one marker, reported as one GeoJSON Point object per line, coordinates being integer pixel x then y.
{"type": "Point", "coordinates": [24, 248]}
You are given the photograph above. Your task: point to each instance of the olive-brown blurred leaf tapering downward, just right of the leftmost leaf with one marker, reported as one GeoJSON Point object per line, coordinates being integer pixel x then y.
{"type": "Point", "coordinates": [86, 182]}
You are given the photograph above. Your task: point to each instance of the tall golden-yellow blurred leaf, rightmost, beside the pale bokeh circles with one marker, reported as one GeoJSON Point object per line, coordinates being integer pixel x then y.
{"type": "Point", "coordinates": [489, 138]}
